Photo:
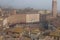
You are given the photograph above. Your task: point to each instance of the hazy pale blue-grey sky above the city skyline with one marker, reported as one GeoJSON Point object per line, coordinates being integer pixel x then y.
{"type": "Point", "coordinates": [40, 4]}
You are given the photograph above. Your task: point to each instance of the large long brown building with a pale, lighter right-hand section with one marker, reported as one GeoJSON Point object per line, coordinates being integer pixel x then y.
{"type": "Point", "coordinates": [23, 18]}
